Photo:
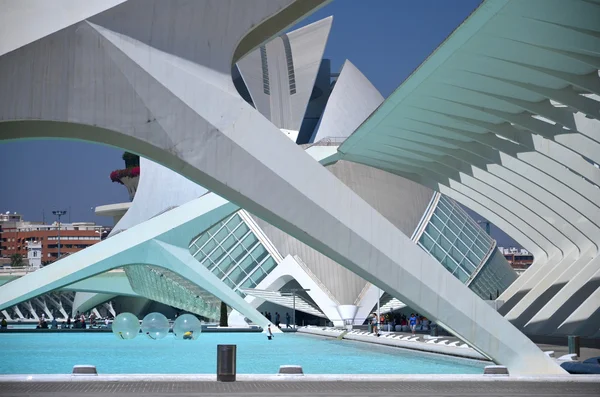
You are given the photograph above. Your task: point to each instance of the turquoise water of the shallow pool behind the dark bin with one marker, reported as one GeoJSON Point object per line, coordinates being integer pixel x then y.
{"type": "Point", "coordinates": [56, 353]}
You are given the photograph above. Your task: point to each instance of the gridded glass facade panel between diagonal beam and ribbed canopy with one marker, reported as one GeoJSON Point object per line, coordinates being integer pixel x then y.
{"type": "Point", "coordinates": [455, 239]}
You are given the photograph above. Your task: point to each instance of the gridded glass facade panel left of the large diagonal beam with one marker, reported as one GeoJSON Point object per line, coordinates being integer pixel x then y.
{"type": "Point", "coordinates": [232, 252]}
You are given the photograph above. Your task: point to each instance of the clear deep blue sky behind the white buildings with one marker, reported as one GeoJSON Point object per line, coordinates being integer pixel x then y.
{"type": "Point", "coordinates": [385, 39]}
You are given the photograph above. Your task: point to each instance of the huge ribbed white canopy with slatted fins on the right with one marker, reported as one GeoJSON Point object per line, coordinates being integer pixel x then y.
{"type": "Point", "coordinates": [503, 118]}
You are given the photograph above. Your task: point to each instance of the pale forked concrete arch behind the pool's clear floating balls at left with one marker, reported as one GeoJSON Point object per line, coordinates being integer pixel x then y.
{"type": "Point", "coordinates": [161, 242]}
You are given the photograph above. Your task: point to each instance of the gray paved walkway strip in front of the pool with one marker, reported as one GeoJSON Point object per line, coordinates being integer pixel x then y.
{"type": "Point", "coordinates": [347, 389]}
